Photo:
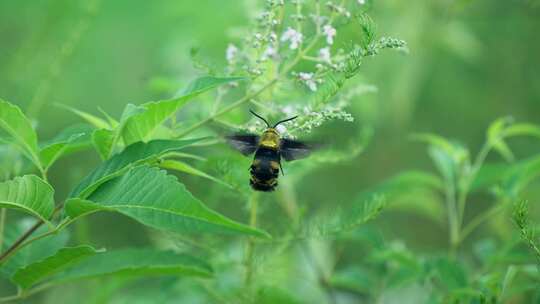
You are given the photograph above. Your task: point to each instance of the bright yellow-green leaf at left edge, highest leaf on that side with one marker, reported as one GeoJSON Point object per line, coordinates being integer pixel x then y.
{"type": "Point", "coordinates": [16, 125]}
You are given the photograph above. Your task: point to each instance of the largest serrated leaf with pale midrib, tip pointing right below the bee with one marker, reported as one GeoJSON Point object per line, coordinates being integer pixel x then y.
{"type": "Point", "coordinates": [158, 200]}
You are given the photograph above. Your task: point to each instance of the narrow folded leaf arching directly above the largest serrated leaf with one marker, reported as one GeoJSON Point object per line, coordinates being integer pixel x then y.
{"type": "Point", "coordinates": [133, 155]}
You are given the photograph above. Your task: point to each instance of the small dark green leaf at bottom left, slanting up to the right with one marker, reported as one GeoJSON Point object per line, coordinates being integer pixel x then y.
{"type": "Point", "coordinates": [34, 273]}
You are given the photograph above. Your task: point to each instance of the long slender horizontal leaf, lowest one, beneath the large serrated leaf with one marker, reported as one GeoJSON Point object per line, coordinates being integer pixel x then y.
{"type": "Point", "coordinates": [136, 262]}
